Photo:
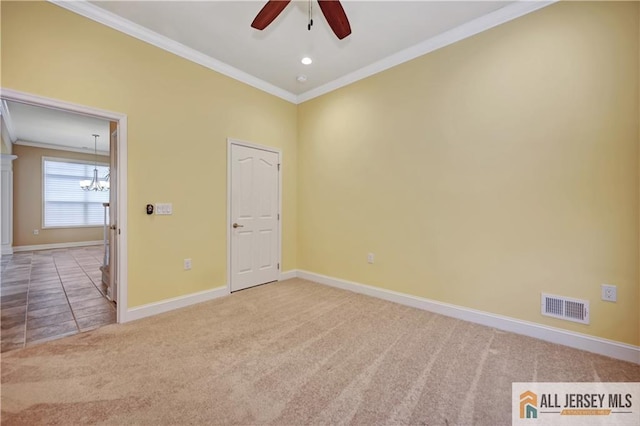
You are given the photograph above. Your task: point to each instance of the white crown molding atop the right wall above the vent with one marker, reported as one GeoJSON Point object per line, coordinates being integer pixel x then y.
{"type": "Point", "coordinates": [468, 29]}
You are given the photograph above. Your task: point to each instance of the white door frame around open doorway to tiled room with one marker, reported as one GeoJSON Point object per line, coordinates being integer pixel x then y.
{"type": "Point", "coordinates": [121, 119]}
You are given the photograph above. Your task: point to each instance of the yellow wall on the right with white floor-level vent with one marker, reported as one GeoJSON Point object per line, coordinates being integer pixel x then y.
{"type": "Point", "coordinates": [487, 172]}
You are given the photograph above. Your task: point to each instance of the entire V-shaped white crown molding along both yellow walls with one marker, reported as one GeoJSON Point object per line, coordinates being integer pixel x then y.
{"type": "Point", "coordinates": [471, 28]}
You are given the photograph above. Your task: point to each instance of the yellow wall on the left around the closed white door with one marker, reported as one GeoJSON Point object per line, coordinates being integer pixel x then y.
{"type": "Point", "coordinates": [180, 115]}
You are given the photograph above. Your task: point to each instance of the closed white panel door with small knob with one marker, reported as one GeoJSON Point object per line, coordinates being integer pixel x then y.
{"type": "Point", "coordinates": [254, 216]}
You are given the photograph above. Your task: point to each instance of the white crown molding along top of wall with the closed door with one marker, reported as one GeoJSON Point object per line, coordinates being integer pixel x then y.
{"type": "Point", "coordinates": [95, 13]}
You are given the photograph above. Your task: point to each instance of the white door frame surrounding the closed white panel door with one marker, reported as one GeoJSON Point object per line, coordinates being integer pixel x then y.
{"type": "Point", "coordinates": [230, 142]}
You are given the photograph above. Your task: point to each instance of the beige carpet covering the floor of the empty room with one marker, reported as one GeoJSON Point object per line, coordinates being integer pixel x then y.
{"type": "Point", "coordinates": [287, 353]}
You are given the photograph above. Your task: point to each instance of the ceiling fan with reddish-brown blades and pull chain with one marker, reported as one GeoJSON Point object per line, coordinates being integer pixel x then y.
{"type": "Point", "coordinates": [331, 9]}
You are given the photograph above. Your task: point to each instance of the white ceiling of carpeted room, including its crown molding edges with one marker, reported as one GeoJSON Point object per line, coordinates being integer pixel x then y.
{"type": "Point", "coordinates": [217, 34]}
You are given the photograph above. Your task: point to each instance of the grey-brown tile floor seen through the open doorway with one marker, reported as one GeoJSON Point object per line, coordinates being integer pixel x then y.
{"type": "Point", "coordinates": [49, 294]}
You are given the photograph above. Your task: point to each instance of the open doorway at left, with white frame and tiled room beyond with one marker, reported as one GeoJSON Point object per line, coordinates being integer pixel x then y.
{"type": "Point", "coordinates": [70, 270]}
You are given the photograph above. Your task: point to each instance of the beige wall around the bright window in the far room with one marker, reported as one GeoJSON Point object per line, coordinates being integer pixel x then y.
{"type": "Point", "coordinates": [27, 199]}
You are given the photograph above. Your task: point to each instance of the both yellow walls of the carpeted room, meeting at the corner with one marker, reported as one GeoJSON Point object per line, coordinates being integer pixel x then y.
{"type": "Point", "coordinates": [480, 175]}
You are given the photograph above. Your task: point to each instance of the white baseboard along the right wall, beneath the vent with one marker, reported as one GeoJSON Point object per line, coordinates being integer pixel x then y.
{"type": "Point", "coordinates": [584, 342]}
